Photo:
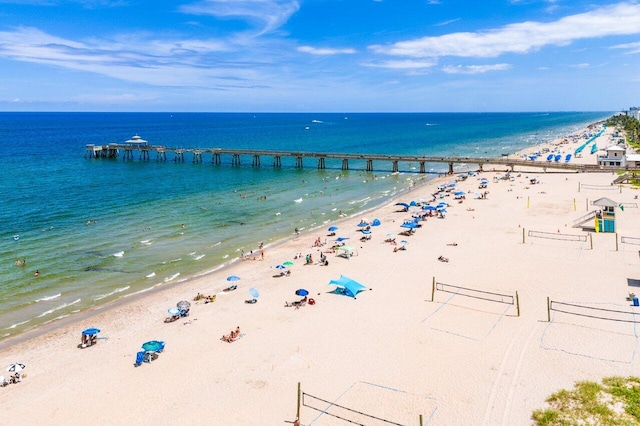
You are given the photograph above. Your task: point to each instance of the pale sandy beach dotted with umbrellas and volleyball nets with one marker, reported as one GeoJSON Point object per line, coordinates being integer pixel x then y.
{"type": "Point", "coordinates": [391, 353]}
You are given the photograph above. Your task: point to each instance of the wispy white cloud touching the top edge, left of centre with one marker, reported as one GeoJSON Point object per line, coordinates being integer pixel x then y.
{"type": "Point", "coordinates": [268, 15]}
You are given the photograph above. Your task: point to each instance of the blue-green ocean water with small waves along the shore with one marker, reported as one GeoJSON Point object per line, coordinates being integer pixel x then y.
{"type": "Point", "coordinates": [102, 229]}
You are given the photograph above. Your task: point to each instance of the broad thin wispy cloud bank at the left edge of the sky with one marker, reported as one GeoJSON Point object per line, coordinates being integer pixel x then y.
{"type": "Point", "coordinates": [131, 58]}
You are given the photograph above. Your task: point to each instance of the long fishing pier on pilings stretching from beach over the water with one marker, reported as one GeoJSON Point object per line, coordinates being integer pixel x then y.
{"type": "Point", "coordinates": [137, 147]}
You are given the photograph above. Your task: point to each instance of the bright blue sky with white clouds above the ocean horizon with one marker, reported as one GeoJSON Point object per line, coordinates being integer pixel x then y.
{"type": "Point", "coordinates": [319, 55]}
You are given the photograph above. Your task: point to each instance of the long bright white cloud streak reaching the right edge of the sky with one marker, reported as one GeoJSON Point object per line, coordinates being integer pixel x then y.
{"type": "Point", "coordinates": [524, 37]}
